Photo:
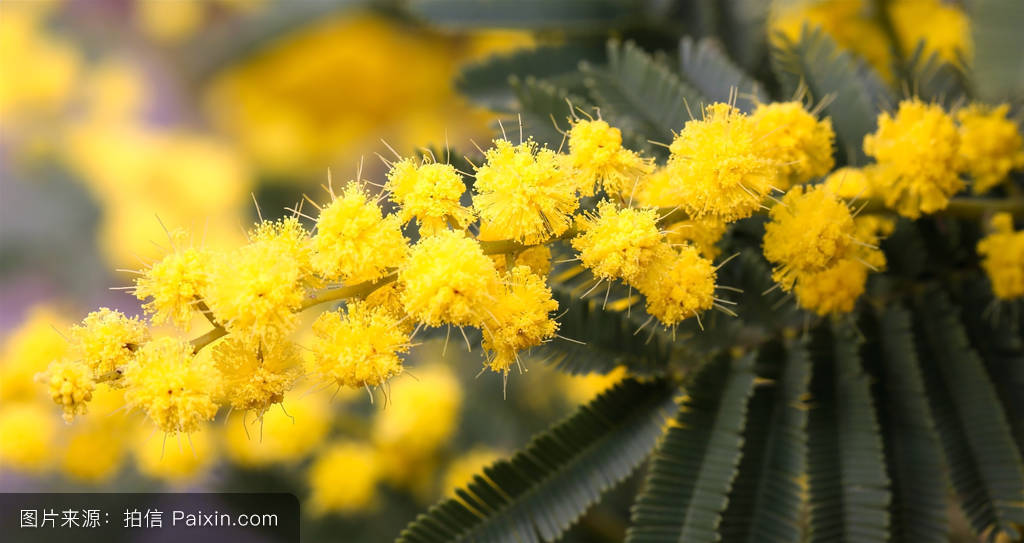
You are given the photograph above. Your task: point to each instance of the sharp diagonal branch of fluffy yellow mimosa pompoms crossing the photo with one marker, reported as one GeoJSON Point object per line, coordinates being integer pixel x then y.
{"type": "Point", "coordinates": [482, 261]}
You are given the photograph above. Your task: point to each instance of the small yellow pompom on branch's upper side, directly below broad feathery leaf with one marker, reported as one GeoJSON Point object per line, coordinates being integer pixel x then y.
{"type": "Point", "coordinates": [598, 157]}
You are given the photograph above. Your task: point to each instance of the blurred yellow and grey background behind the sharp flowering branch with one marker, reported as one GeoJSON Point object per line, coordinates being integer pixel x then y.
{"type": "Point", "coordinates": [120, 118]}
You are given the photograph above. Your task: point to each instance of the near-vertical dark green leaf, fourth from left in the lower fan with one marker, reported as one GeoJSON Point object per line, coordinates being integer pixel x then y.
{"type": "Point", "coordinates": [846, 471]}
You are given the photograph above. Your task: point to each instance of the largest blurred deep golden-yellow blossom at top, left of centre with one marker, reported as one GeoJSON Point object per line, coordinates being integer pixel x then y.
{"type": "Point", "coordinates": [292, 112]}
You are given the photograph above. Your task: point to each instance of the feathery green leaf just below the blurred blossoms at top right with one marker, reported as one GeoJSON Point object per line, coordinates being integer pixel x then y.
{"type": "Point", "coordinates": [828, 72]}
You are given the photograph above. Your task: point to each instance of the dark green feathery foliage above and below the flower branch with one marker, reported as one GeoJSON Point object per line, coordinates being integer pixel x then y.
{"type": "Point", "coordinates": [851, 431]}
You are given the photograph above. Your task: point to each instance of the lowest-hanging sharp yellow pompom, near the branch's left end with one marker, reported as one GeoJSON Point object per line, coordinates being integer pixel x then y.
{"type": "Point", "coordinates": [176, 390]}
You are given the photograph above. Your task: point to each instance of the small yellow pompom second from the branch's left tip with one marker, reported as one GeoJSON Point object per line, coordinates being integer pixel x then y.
{"type": "Point", "coordinates": [107, 340]}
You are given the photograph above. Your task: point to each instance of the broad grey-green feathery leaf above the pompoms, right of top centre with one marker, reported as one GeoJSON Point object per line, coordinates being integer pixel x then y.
{"type": "Point", "coordinates": [638, 94]}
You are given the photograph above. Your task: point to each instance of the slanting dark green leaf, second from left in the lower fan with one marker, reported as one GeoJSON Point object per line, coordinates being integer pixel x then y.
{"type": "Point", "coordinates": [688, 486]}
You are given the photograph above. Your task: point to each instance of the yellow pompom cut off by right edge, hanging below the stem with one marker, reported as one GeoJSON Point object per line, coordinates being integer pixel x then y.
{"type": "Point", "coordinates": [1003, 258]}
